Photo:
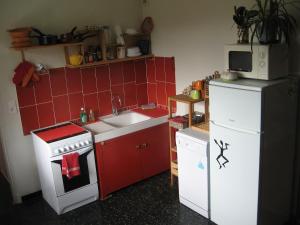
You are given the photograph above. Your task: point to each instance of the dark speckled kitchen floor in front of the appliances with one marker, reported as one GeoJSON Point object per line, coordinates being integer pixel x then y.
{"type": "Point", "coordinates": [151, 202]}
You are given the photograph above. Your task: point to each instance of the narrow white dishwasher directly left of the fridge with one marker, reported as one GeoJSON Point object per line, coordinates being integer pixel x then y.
{"type": "Point", "coordinates": [192, 157]}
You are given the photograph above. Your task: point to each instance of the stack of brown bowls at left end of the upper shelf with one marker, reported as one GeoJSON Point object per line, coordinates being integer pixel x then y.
{"type": "Point", "coordinates": [20, 37]}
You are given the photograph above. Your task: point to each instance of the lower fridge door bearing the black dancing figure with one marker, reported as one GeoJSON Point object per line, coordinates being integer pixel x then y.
{"type": "Point", "coordinates": [234, 176]}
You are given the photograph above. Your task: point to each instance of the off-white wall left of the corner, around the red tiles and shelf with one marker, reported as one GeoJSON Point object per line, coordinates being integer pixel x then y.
{"type": "Point", "coordinates": [51, 16]}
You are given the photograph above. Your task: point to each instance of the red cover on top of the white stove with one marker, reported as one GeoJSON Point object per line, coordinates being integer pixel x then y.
{"type": "Point", "coordinates": [59, 132]}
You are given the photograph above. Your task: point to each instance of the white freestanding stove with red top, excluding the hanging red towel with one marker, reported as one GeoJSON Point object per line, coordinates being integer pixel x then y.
{"type": "Point", "coordinates": [50, 144]}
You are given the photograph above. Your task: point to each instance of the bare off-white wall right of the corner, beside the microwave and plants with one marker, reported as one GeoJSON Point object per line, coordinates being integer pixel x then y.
{"type": "Point", "coordinates": [195, 33]}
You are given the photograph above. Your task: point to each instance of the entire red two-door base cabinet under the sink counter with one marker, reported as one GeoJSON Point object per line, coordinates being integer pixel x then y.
{"type": "Point", "coordinates": [130, 158]}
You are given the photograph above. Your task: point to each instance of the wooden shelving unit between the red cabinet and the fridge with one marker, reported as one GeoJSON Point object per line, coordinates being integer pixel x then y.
{"type": "Point", "coordinates": [173, 150]}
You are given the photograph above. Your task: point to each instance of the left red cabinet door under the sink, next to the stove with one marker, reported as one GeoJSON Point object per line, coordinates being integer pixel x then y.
{"type": "Point", "coordinates": [118, 163]}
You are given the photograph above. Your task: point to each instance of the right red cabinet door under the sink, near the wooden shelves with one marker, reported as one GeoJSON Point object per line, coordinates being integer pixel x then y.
{"type": "Point", "coordinates": [155, 156]}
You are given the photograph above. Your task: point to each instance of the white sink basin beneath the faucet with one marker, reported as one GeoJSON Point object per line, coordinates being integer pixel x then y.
{"type": "Point", "coordinates": [124, 119]}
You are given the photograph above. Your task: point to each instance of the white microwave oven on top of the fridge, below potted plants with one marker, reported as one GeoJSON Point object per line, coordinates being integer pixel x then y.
{"type": "Point", "coordinates": [264, 62]}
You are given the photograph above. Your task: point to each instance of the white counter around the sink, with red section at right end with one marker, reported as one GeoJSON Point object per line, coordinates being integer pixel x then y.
{"type": "Point", "coordinates": [103, 131]}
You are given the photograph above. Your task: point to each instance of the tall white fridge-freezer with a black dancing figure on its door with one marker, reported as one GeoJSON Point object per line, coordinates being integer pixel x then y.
{"type": "Point", "coordinates": [252, 143]}
